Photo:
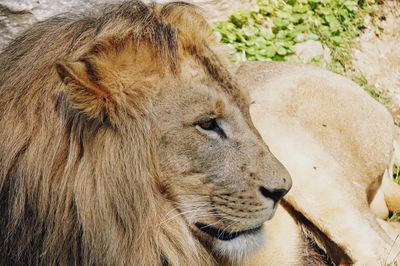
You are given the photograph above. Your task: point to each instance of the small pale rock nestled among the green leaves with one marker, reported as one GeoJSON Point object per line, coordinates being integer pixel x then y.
{"type": "Point", "coordinates": [310, 49]}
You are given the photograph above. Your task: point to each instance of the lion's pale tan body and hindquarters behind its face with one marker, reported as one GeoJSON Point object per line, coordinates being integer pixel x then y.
{"type": "Point", "coordinates": [336, 143]}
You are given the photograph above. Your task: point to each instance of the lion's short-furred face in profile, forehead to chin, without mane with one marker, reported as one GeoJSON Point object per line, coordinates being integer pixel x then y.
{"type": "Point", "coordinates": [215, 167]}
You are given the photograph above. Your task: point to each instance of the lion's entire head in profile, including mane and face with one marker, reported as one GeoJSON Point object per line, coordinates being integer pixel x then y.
{"type": "Point", "coordinates": [125, 141]}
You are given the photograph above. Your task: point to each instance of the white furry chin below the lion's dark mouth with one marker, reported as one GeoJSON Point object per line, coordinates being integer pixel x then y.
{"type": "Point", "coordinates": [238, 249]}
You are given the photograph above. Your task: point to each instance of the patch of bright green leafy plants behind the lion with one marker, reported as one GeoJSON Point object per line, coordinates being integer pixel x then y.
{"type": "Point", "coordinates": [271, 30]}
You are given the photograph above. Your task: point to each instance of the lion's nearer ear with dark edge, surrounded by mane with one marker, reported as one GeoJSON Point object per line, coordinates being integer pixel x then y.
{"type": "Point", "coordinates": [84, 89]}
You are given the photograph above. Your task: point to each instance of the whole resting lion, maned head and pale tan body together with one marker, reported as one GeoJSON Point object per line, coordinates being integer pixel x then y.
{"type": "Point", "coordinates": [127, 141]}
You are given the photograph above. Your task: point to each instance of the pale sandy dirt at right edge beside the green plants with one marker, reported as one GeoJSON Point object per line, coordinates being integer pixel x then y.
{"type": "Point", "coordinates": [377, 56]}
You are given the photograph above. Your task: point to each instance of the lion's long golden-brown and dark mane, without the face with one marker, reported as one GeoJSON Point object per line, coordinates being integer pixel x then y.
{"type": "Point", "coordinates": [72, 192]}
